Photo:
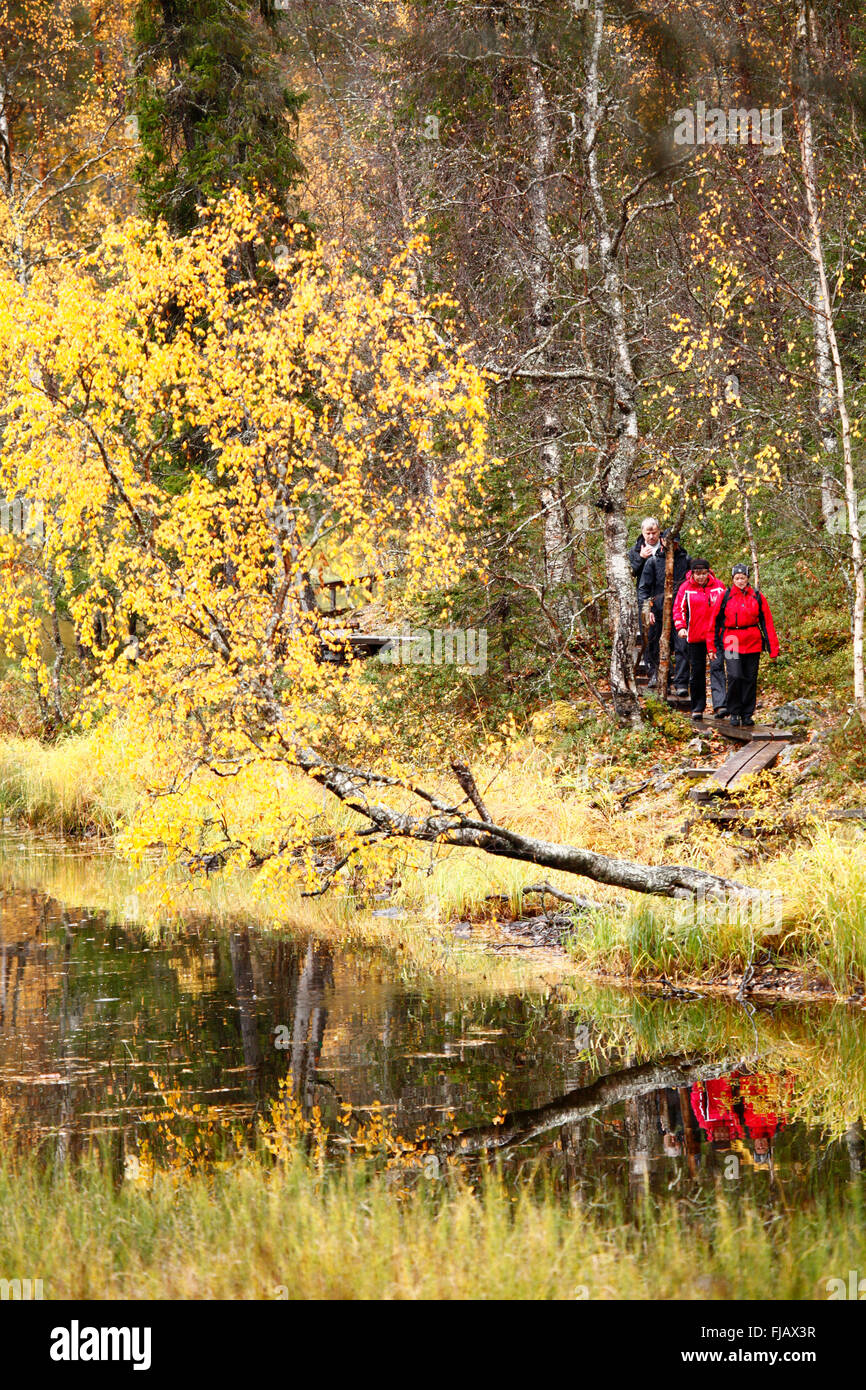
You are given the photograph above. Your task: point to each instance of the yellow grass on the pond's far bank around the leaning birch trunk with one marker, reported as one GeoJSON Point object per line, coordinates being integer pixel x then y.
{"type": "Point", "coordinates": [81, 783]}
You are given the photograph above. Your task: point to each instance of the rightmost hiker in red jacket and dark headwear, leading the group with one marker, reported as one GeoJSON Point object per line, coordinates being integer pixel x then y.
{"type": "Point", "coordinates": [744, 630]}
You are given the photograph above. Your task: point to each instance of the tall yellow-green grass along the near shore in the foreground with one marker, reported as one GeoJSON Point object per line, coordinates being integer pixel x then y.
{"type": "Point", "coordinates": [295, 1232]}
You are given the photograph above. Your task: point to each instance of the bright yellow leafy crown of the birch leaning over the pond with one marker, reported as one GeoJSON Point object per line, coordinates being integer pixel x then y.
{"type": "Point", "coordinates": [208, 426]}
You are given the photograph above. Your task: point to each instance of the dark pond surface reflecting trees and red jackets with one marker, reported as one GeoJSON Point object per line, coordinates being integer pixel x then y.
{"type": "Point", "coordinates": [607, 1090]}
